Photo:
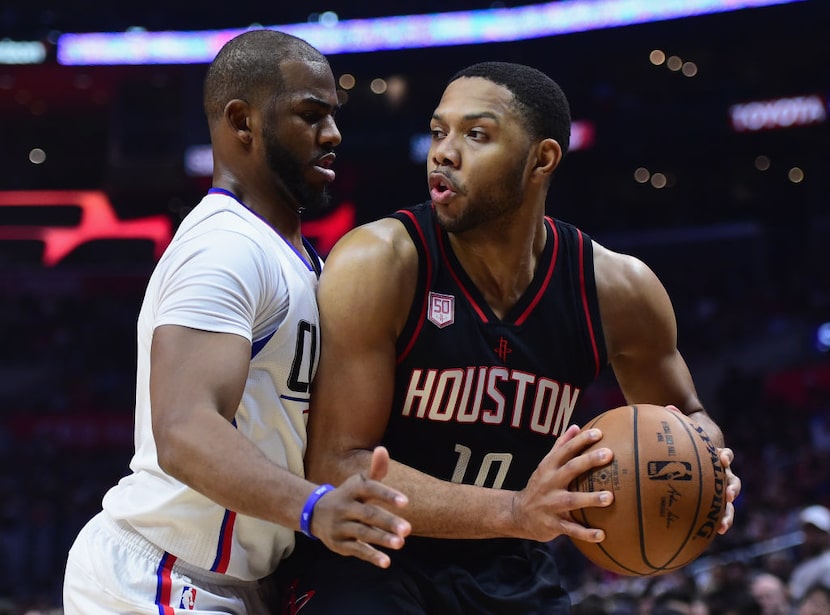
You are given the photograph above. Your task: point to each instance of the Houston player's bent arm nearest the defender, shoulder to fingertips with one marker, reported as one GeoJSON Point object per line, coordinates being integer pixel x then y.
{"type": "Point", "coordinates": [365, 294]}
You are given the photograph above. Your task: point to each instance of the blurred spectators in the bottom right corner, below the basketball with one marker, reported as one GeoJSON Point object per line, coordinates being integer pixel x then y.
{"type": "Point", "coordinates": [791, 576]}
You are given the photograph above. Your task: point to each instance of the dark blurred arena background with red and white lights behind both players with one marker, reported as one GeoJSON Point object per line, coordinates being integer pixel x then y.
{"type": "Point", "coordinates": [701, 146]}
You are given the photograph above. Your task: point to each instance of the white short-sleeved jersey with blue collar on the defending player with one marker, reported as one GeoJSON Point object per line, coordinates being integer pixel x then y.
{"type": "Point", "coordinates": [226, 270]}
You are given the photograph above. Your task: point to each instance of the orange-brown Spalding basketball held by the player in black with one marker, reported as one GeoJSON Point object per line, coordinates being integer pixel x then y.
{"type": "Point", "coordinates": [668, 486]}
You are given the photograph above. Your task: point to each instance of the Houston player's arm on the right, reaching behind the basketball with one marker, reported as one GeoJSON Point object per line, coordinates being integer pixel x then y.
{"type": "Point", "coordinates": [641, 337]}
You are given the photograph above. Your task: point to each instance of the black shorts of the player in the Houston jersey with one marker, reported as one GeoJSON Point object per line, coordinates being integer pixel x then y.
{"type": "Point", "coordinates": [428, 577]}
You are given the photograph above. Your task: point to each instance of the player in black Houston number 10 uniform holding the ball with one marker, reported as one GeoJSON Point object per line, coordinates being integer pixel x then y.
{"type": "Point", "coordinates": [460, 333]}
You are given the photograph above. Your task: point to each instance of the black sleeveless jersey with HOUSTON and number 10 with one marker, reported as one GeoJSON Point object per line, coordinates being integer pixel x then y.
{"type": "Point", "coordinates": [480, 399]}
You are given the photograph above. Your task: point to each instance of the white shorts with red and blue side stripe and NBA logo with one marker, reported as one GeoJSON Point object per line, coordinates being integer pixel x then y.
{"type": "Point", "coordinates": [112, 569]}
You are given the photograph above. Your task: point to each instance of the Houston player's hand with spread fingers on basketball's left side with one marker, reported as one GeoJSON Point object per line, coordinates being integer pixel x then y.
{"type": "Point", "coordinates": [544, 506]}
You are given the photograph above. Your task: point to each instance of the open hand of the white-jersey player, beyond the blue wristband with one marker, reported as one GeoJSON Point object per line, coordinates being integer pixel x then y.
{"type": "Point", "coordinates": [356, 515]}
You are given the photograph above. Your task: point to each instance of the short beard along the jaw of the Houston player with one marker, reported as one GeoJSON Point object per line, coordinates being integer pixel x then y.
{"type": "Point", "coordinates": [498, 198]}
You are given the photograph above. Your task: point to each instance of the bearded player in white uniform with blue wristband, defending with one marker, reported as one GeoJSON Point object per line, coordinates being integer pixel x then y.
{"type": "Point", "coordinates": [228, 343]}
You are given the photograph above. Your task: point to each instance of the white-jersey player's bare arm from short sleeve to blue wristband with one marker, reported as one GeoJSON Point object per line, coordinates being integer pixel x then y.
{"type": "Point", "coordinates": [196, 385]}
